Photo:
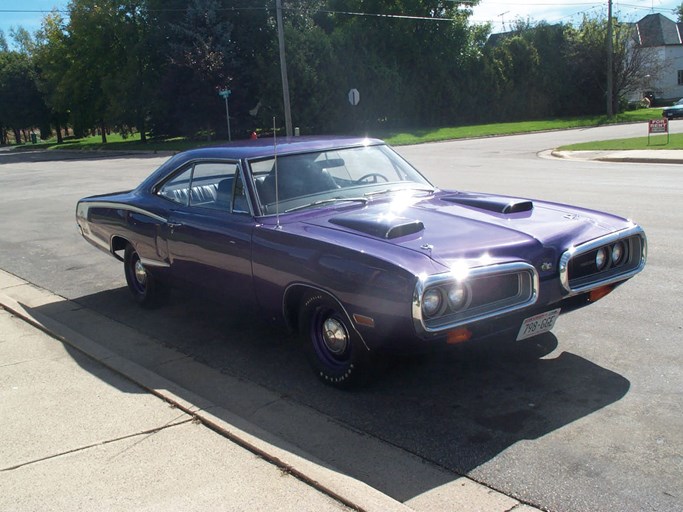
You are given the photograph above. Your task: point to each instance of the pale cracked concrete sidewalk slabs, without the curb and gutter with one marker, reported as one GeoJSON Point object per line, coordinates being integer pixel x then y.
{"type": "Point", "coordinates": [78, 436]}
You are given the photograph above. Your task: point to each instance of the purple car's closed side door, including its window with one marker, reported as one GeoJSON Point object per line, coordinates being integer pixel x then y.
{"type": "Point", "coordinates": [209, 231]}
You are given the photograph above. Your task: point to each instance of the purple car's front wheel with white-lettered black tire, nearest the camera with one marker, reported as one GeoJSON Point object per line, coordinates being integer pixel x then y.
{"type": "Point", "coordinates": [333, 347]}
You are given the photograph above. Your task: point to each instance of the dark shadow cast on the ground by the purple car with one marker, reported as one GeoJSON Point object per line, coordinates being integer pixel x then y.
{"type": "Point", "coordinates": [459, 408]}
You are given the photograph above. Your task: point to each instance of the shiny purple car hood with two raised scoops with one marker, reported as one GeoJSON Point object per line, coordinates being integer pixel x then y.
{"type": "Point", "coordinates": [452, 226]}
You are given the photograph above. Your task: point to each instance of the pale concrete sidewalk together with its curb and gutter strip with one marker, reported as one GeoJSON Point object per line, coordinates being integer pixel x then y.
{"type": "Point", "coordinates": [87, 428]}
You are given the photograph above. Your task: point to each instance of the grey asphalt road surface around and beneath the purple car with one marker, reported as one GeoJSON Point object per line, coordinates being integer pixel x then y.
{"type": "Point", "coordinates": [588, 418]}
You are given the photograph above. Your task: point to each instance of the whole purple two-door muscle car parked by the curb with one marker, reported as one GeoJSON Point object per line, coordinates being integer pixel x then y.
{"type": "Point", "coordinates": [346, 243]}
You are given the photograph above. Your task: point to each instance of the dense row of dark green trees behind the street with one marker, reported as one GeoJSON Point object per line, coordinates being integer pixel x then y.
{"type": "Point", "coordinates": [155, 67]}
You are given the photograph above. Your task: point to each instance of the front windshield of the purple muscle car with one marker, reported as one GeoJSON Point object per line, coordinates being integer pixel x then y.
{"type": "Point", "coordinates": [312, 179]}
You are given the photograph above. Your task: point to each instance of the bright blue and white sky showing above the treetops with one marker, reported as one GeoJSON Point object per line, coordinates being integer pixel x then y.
{"type": "Point", "coordinates": [500, 13]}
